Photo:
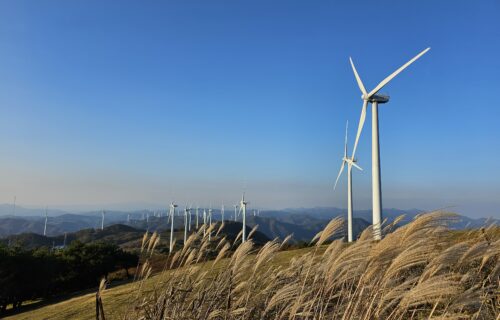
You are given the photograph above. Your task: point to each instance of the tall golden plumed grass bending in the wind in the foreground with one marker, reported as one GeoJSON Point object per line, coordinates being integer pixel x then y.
{"type": "Point", "coordinates": [419, 271]}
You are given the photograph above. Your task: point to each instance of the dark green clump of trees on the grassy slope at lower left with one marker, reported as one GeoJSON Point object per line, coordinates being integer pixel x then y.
{"type": "Point", "coordinates": [42, 273]}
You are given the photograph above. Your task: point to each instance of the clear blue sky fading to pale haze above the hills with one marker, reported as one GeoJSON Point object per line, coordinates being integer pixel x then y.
{"type": "Point", "coordinates": [137, 103]}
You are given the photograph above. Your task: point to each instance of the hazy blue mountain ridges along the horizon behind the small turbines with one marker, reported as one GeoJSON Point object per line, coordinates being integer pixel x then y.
{"type": "Point", "coordinates": [304, 223]}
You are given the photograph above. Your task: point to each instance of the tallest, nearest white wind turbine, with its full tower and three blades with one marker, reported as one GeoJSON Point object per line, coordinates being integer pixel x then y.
{"type": "Point", "coordinates": [376, 99]}
